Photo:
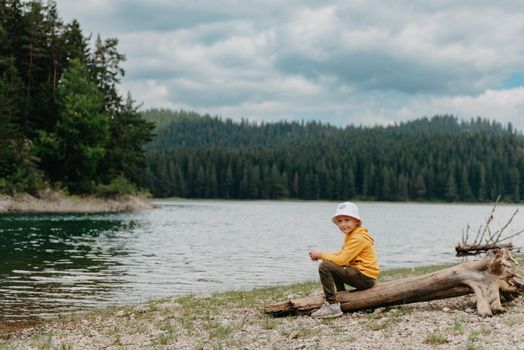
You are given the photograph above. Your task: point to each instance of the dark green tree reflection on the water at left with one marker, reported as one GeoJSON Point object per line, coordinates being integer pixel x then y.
{"type": "Point", "coordinates": [59, 263]}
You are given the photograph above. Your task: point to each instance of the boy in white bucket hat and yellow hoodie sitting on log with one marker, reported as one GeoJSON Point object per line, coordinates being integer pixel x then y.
{"type": "Point", "coordinates": [356, 264]}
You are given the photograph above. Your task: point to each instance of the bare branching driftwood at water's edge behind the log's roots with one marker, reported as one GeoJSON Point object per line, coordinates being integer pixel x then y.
{"type": "Point", "coordinates": [492, 240]}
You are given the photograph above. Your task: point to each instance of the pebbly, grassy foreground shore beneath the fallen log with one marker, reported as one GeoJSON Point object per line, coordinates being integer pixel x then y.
{"type": "Point", "coordinates": [234, 320]}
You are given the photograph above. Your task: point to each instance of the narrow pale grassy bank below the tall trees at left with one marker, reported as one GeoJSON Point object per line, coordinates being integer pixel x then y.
{"type": "Point", "coordinates": [49, 201]}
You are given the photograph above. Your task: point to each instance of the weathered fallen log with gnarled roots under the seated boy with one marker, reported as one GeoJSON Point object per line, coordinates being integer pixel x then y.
{"type": "Point", "coordinates": [487, 278]}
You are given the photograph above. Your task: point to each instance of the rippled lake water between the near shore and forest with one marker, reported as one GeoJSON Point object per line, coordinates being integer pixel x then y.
{"type": "Point", "coordinates": [52, 264]}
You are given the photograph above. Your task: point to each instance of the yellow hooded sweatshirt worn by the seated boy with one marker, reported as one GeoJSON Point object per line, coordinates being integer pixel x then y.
{"type": "Point", "coordinates": [357, 251]}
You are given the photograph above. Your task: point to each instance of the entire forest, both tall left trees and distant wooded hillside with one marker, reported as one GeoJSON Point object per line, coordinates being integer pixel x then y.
{"type": "Point", "coordinates": [64, 124]}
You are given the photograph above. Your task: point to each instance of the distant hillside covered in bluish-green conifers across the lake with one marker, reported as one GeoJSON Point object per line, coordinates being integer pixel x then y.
{"type": "Point", "coordinates": [427, 159]}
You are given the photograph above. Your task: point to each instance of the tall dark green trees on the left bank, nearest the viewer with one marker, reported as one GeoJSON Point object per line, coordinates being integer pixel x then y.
{"type": "Point", "coordinates": [62, 120]}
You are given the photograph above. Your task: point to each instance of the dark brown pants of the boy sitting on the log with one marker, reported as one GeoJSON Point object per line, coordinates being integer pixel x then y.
{"type": "Point", "coordinates": [332, 275]}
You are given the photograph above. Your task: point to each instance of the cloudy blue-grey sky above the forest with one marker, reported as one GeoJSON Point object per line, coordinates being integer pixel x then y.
{"type": "Point", "coordinates": [343, 62]}
